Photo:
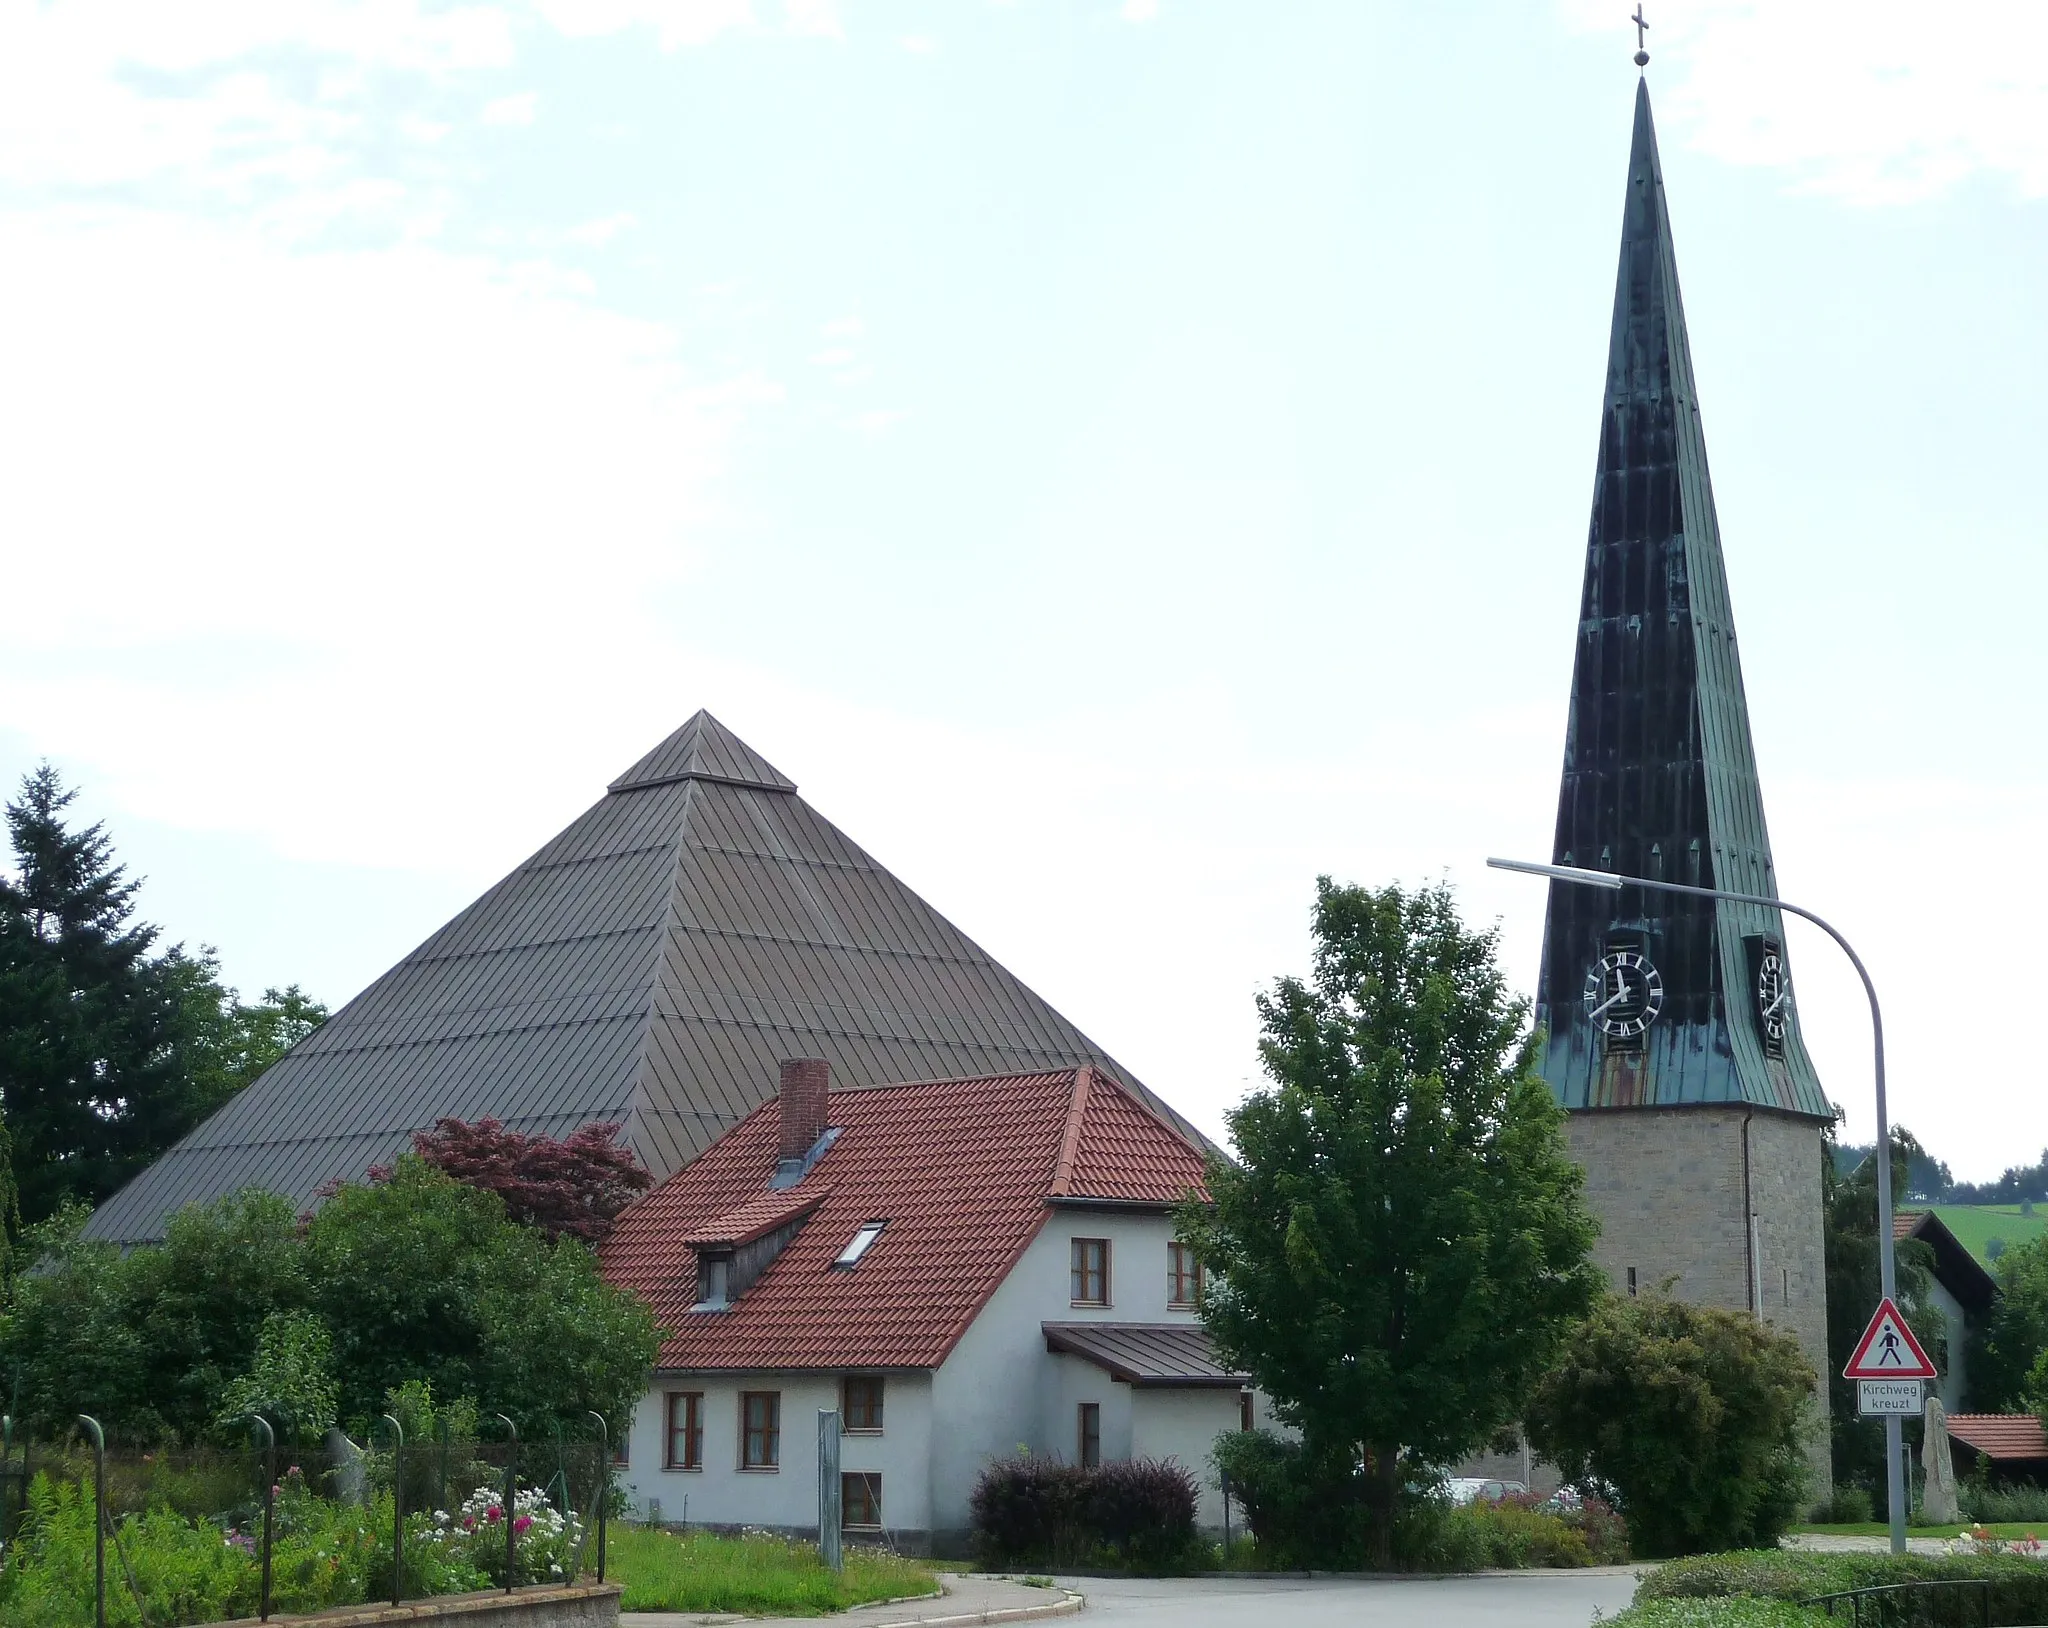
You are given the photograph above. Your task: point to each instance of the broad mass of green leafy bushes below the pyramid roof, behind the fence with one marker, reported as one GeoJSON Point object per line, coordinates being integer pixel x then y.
{"type": "Point", "coordinates": [417, 1279]}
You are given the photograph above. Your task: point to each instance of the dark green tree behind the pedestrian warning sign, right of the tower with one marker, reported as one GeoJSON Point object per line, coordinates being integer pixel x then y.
{"type": "Point", "coordinates": [1850, 1254]}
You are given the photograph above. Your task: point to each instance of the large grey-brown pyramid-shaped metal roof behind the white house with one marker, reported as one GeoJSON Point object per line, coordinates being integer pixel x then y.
{"type": "Point", "coordinates": [650, 966]}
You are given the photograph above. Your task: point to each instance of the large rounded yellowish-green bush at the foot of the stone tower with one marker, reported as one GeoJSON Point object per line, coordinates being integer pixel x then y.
{"type": "Point", "coordinates": [1693, 1416]}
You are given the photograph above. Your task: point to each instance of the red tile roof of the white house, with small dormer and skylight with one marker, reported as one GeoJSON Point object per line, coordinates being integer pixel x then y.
{"type": "Point", "coordinates": [962, 1170]}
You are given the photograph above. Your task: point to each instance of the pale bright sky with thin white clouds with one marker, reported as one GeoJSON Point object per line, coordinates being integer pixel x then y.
{"type": "Point", "coordinates": [1121, 458]}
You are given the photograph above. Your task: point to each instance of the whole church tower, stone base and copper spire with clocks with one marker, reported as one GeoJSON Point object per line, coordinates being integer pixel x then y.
{"type": "Point", "coordinates": [1672, 1033]}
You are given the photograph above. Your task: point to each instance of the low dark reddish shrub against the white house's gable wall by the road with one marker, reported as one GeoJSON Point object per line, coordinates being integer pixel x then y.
{"type": "Point", "coordinates": [1037, 1510]}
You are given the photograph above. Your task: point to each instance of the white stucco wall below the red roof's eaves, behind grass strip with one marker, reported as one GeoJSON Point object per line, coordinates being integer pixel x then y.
{"type": "Point", "coordinates": [722, 1494]}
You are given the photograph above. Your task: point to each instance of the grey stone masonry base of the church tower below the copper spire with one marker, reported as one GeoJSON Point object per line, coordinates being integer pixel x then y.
{"type": "Point", "coordinates": [1668, 1189]}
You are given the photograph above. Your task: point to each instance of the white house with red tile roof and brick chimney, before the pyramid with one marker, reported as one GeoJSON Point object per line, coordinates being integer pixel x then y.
{"type": "Point", "coordinates": [962, 1269]}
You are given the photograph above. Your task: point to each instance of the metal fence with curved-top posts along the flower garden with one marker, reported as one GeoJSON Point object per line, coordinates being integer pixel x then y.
{"type": "Point", "coordinates": [439, 1488]}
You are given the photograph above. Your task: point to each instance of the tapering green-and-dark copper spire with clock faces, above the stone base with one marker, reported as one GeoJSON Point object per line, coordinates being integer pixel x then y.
{"type": "Point", "coordinates": [1652, 998]}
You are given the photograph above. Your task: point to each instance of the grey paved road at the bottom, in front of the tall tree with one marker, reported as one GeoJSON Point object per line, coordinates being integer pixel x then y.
{"type": "Point", "coordinates": [1512, 1600]}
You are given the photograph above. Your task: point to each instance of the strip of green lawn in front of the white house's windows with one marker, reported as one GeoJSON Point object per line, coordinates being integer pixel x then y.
{"type": "Point", "coordinates": [665, 1572]}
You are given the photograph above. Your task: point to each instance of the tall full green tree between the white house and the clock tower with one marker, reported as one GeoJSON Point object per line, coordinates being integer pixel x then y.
{"type": "Point", "coordinates": [1404, 1244]}
